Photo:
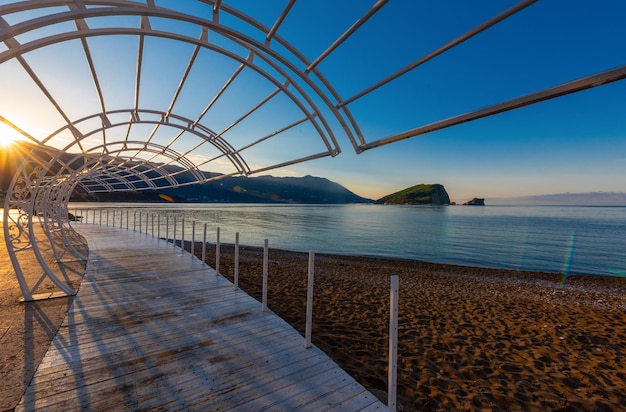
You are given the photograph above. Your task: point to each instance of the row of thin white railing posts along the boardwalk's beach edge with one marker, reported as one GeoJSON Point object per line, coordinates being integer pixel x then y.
{"type": "Point", "coordinates": [144, 222]}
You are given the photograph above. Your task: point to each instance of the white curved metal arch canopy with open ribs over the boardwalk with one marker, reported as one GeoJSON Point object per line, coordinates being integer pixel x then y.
{"type": "Point", "coordinates": [41, 188]}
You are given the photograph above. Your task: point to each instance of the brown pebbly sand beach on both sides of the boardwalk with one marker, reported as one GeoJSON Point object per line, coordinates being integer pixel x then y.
{"type": "Point", "coordinates": [469, 338]}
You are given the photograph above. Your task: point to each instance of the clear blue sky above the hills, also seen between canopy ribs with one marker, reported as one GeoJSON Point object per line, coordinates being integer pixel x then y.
{"type": "Point", "coordinates": [575, 143]}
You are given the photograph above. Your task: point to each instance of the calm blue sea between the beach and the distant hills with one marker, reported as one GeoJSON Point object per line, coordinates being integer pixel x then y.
{"type": "Point", "coordinates": [583, 240]}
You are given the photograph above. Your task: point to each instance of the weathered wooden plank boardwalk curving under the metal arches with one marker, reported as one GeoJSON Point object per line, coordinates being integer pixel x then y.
{"type": "Point", "coordinates": [153, 329]}
